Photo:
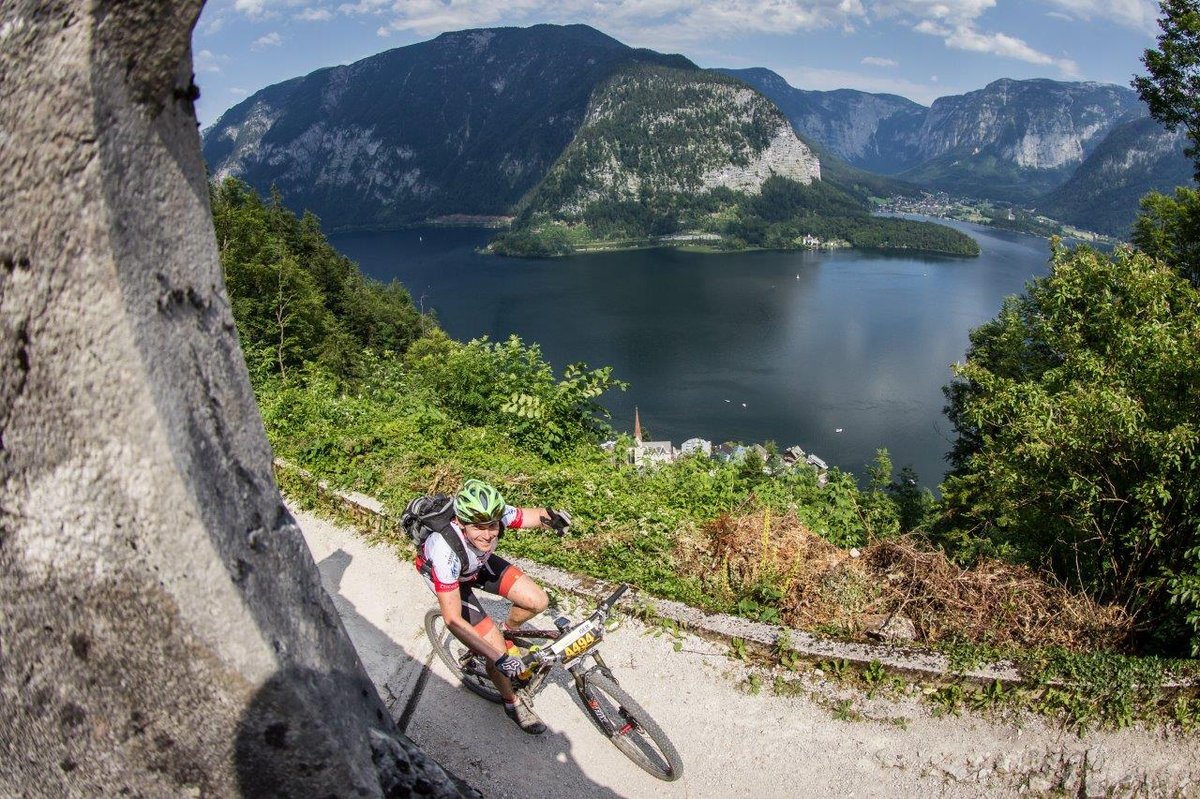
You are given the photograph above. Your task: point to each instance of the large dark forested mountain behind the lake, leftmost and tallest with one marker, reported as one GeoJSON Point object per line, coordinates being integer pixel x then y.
{"type": "Point", "coordinates": [464, 124]}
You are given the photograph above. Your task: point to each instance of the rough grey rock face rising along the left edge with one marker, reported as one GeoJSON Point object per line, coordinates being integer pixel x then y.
{"type": "Point", "coordinates": [163, 624]}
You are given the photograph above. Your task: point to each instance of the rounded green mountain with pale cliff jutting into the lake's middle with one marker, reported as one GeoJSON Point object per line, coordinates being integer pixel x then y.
{"type": "Point", "coordinates": [692, 157]}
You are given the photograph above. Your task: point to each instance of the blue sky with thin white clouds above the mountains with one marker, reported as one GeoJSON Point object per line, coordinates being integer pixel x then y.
{"type": "Point", "coordinates": [921, 50]}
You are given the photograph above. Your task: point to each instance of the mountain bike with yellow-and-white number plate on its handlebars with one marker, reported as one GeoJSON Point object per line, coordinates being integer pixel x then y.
{"type": "Point", "coordinates": [572, 647]}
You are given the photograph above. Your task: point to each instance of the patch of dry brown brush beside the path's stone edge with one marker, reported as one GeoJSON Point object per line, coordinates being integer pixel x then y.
{"type": "Point", "coordinates": [779, 562]}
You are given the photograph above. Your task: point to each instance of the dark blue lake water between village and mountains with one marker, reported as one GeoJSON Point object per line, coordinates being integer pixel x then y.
{"type": "Point", "coordinates": [841, 353]}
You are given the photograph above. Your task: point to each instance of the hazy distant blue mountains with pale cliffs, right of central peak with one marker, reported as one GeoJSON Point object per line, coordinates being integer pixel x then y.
{"type": "Point", "coordinates": [1012, 141]}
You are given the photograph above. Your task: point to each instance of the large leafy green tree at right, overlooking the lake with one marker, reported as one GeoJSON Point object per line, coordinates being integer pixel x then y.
{"type": "Point", "coordinates": [1078, 432]}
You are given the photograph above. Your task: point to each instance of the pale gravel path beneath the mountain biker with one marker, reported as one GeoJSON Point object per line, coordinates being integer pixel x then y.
{"type": "Point", "coordinates": [733, 743]}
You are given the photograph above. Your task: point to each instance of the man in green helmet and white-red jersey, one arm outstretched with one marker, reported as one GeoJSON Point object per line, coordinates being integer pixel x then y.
{"type": "Point", "coordinates": [481, 516]}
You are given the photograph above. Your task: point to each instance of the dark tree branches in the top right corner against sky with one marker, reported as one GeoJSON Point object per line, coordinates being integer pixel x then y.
{"type": "Point", "coordinates": [1172, 91]}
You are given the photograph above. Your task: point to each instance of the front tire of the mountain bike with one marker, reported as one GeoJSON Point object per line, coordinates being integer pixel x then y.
{"type": "Point", "coordinates": [632, 730]}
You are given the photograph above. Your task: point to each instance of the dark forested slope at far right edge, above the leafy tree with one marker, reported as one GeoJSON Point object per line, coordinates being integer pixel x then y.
{"type": "Point", "coordinates": [1133, 160]}
